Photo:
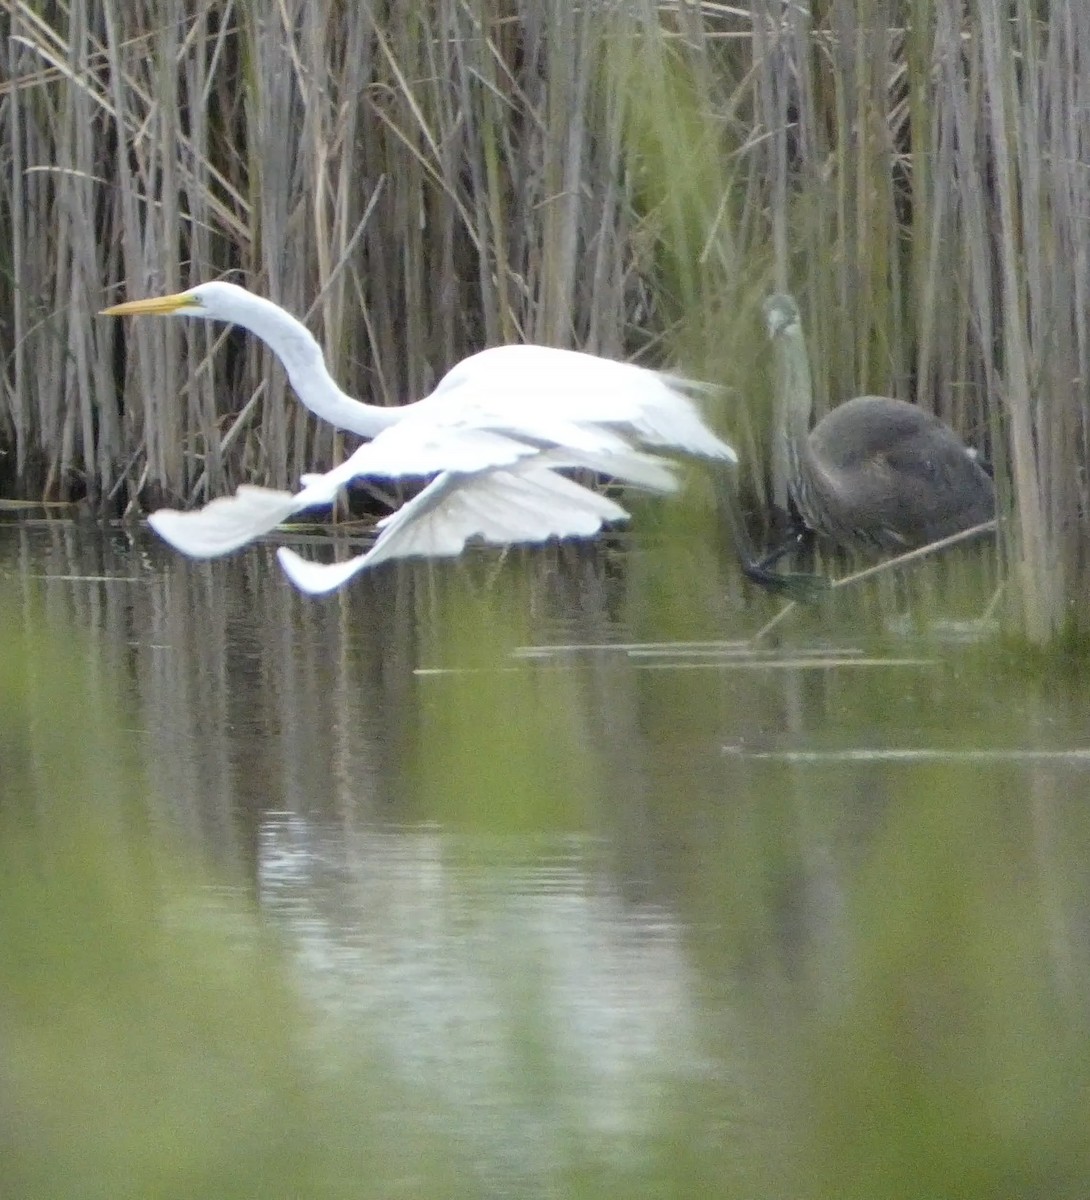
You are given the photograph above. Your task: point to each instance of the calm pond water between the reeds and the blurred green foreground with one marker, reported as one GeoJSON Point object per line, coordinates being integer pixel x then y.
{"type": "Point", "coordinates": [550, 867]}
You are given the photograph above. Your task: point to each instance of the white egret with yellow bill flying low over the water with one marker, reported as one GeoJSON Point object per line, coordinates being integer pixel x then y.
{"type": "Point", "coordinates": [494, 433]}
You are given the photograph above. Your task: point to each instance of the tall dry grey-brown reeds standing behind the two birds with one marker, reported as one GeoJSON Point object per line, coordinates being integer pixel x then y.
{"type": "Point", "coordinates": [422, 181]}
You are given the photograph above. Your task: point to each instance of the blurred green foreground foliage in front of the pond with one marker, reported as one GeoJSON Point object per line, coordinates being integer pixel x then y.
{"type": "Point", "coordinates": [154, 1045]}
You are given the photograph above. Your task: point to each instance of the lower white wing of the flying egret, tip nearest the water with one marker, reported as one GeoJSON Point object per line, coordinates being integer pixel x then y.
{"type": "Point", "coordinates": [528, 503]}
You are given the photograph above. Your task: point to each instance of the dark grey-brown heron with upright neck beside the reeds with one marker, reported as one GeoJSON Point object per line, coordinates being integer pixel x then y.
{"type": "Point", "coordinates": [876, 473]}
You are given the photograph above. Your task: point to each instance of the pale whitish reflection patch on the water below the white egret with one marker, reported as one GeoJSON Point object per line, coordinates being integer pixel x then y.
{"type": "Point", "coordinates": [474, 979]}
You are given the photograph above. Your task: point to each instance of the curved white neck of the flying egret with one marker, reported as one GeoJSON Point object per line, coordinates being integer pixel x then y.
{"type": "Point", "coordinates": [294, 344]}
